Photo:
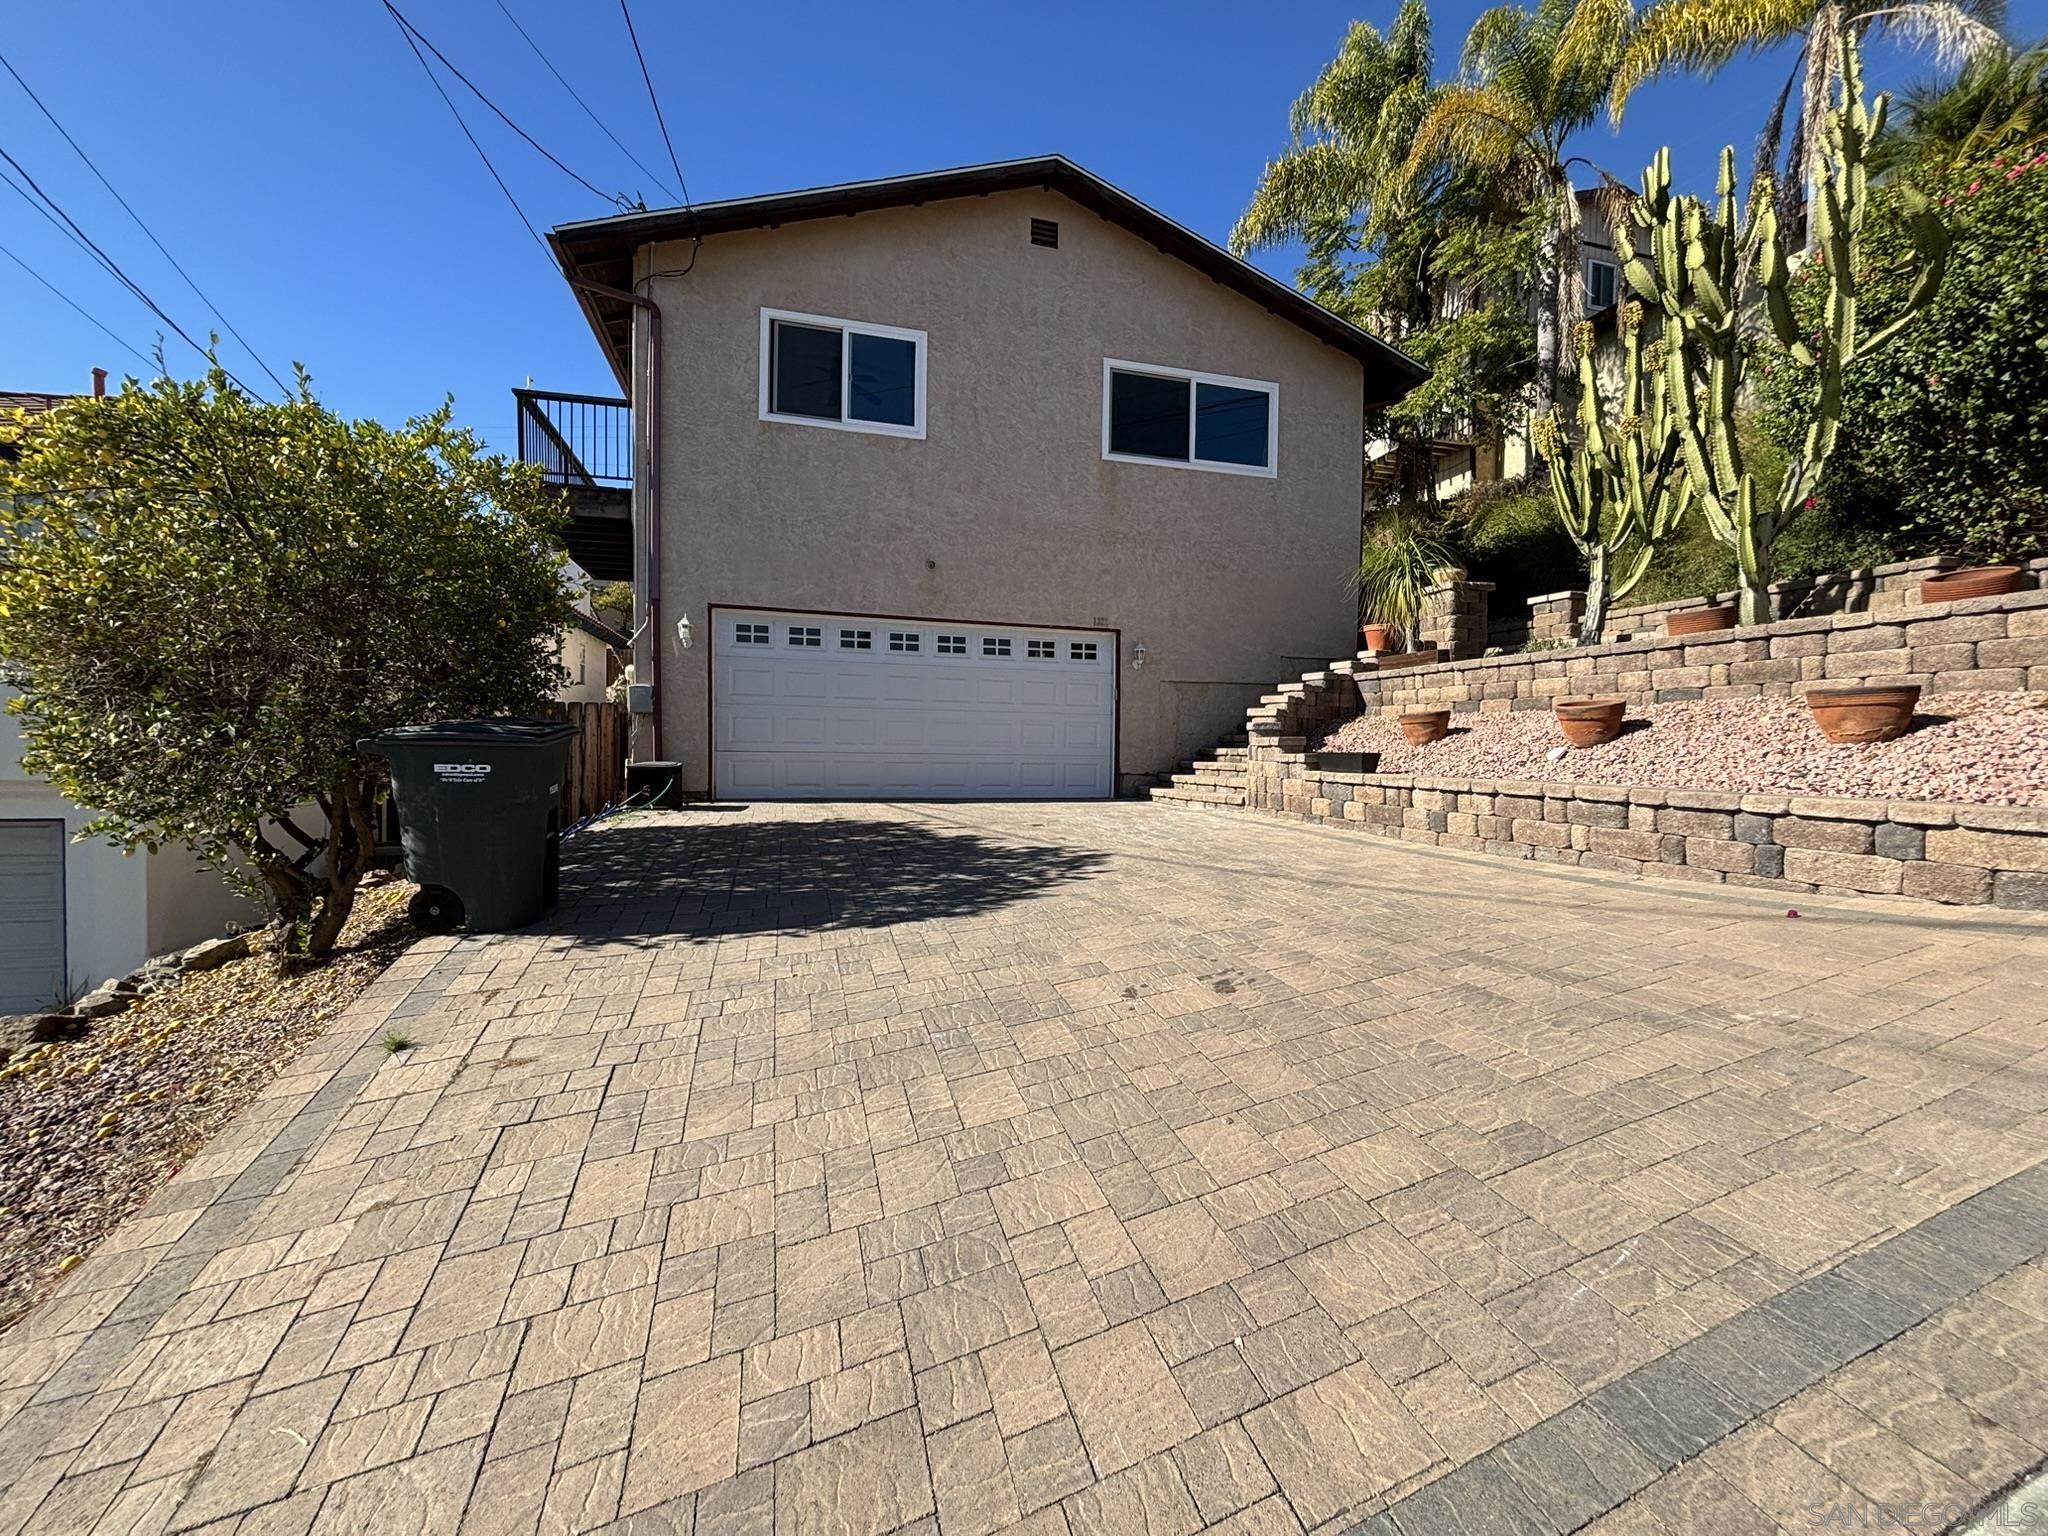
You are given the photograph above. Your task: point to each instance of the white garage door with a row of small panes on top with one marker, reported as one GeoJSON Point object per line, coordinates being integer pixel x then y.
{"type": "Point", "coordinates": [820, 708]}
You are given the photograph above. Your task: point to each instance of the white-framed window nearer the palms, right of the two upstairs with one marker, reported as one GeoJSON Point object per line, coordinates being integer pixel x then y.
{"type": "Point", "coordinates": [1191, 421]}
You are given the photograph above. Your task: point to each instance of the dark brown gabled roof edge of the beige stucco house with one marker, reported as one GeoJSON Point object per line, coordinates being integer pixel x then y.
{"type": "Point", "coordinates": [601, 251]}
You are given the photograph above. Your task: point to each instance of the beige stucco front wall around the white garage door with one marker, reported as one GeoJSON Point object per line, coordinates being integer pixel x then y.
{"type": "Point", "coordinates": [1007, 511]}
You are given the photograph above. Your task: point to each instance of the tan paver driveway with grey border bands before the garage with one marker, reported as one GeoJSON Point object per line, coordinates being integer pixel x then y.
{"type": "Point", "coordinates": [1095, 1168]}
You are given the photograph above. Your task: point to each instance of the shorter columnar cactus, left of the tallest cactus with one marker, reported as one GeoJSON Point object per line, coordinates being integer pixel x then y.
{"type": "Point", "coordinates": [1621, 488]}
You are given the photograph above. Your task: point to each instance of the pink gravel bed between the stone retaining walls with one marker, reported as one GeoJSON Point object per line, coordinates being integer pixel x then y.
{"type": "Point", "coordinates": [1979, 749]}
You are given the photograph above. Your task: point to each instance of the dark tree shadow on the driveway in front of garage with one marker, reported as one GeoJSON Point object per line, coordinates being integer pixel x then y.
{"type": "Point", "coordinates": [679, 878]}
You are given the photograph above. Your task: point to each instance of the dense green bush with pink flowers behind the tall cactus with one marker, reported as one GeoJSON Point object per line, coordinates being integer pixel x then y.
{"type": "Point", "coordinates": [1945, 435]}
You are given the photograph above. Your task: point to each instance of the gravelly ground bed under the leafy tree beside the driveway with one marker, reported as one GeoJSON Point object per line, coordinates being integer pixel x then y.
{"type": "Point", "coordinates": [93, 1127]}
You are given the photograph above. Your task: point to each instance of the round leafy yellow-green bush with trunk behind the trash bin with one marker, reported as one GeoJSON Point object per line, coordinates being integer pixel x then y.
{"type": "Point", "coordinates": [206, 601]}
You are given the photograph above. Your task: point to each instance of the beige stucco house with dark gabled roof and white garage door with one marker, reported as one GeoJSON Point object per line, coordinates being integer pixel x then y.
{"type": "Point", "coordinates": [984, 482]}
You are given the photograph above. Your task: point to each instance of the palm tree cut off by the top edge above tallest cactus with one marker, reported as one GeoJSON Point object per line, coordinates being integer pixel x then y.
{"type": "Point", "coordinates": [1705, 36]}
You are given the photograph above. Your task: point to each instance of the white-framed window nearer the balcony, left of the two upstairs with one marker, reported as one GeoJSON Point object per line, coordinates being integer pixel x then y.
{"type": "Point", "coordinates": [843, 374]}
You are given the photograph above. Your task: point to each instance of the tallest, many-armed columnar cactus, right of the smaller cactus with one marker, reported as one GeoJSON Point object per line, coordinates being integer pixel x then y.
{"type": "Point", "coordinates": [1695, 273]}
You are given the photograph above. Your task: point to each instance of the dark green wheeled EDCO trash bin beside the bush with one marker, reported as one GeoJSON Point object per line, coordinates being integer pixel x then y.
{"type": "Point", "coordinates": [480, 818]}
